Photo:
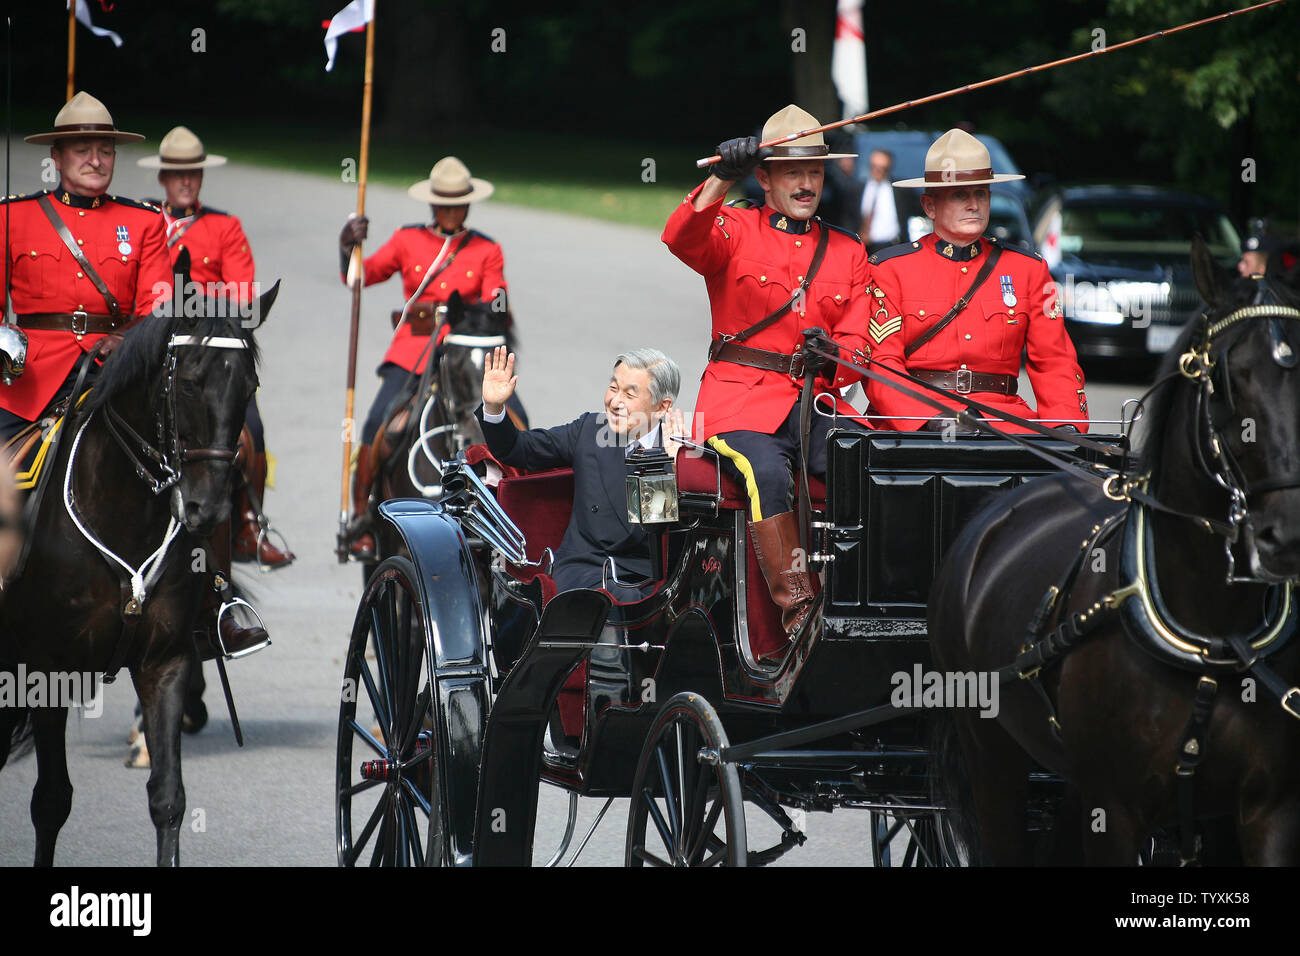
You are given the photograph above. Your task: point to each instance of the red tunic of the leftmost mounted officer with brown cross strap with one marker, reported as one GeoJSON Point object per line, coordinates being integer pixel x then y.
{"type": "Point", "coordinates": [122, 239]}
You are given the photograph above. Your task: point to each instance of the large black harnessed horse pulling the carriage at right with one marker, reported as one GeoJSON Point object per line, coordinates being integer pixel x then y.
{"type": "Point", "coordinates": [1163, 594]}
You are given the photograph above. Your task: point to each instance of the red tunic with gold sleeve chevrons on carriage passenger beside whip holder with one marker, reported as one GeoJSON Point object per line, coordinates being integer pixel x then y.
{"type": "Point", "coordinates": [1013, 312]}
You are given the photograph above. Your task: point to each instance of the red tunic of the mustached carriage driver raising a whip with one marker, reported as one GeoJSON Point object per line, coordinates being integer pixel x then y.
{"type": "Point", "coordinates": [753, 261]}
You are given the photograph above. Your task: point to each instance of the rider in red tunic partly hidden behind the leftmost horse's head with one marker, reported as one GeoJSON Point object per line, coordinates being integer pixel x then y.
{"type": "Point", "coordinates": [222, 263]}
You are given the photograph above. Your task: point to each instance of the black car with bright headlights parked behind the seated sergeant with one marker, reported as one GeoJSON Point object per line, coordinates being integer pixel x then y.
{"type": "Point", "coordinates": [1121, 261]}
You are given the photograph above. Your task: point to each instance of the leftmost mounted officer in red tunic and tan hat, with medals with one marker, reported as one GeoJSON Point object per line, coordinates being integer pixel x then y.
{"type": "Point", "coordinates": [86, 267]}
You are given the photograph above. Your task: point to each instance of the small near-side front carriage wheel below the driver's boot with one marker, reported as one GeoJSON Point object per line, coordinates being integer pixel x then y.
{"type": "Point", "coordinates": [687, 806]}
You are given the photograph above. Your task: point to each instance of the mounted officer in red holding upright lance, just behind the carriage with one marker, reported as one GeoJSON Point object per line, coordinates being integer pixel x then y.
{"type": "Point", "coordinates": [474, 267]}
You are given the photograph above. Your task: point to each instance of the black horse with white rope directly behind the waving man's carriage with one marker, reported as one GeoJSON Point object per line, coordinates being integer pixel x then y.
{"type": "Point", "coordinates": [436, 422]}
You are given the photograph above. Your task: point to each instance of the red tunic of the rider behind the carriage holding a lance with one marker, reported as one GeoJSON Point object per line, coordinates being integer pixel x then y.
{"type": "Point", "coordinates": [478, 272]}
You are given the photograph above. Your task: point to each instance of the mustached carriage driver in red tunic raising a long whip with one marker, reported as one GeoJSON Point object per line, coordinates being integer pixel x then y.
{"type": "Point", "coordinates": [759, 263]}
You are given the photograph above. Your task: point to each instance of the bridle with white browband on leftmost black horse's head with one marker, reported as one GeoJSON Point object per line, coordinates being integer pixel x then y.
{"type": "Point", "coordinates": [161, 468]}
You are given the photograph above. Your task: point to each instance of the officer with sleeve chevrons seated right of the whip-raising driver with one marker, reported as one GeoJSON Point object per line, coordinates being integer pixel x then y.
{"type": "Point", "coordinates": [1013, 310]}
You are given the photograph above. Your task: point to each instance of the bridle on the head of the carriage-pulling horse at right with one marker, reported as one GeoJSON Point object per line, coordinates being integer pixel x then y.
{"type": "Point", "coordinates": [1203, 366]}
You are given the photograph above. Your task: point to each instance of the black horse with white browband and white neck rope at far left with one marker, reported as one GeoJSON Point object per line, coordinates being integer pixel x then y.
{"type": "Point", "coordinates": [141, 479]}
